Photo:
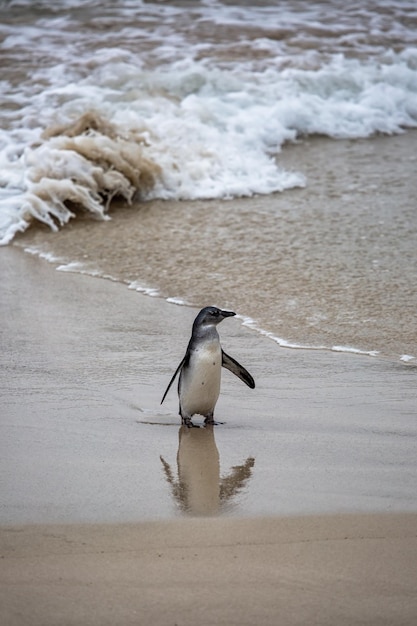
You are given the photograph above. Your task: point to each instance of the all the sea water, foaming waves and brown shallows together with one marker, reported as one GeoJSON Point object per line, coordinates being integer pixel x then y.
{"type": "Point", "coordinates": [197, 114]}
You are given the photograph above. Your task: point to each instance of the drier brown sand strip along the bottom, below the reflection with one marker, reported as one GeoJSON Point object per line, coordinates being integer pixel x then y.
{"type": "Point", "coordinates": [314, 570]}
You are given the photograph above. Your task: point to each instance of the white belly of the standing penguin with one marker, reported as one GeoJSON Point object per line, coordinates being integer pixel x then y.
{"type": "Point", "coordinates": [200, 381]}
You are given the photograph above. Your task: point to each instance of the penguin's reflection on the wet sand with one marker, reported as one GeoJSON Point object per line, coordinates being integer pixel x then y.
{"type": "Point", "coordinates": [199, 490]}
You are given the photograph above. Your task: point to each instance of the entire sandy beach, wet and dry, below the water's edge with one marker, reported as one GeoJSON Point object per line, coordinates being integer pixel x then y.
{"type": "Point", "coordinates": [315, 471]}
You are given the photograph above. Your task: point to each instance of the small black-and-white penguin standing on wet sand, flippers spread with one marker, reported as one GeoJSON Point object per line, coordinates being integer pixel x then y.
{"type": "Point", "coordinates": [200, 369]}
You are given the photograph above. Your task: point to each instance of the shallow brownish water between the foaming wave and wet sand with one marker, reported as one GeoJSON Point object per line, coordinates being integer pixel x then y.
{"type": "Point", "coordinates": [332, 265]}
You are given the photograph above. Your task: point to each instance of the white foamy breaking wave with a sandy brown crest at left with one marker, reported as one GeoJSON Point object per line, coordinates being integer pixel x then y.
{"type": "Point", "coordinates": [79, 132]}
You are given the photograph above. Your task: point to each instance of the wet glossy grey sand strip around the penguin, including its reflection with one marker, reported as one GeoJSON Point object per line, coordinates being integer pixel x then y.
{"type": "Point", "coordinates": [84, 366]}
